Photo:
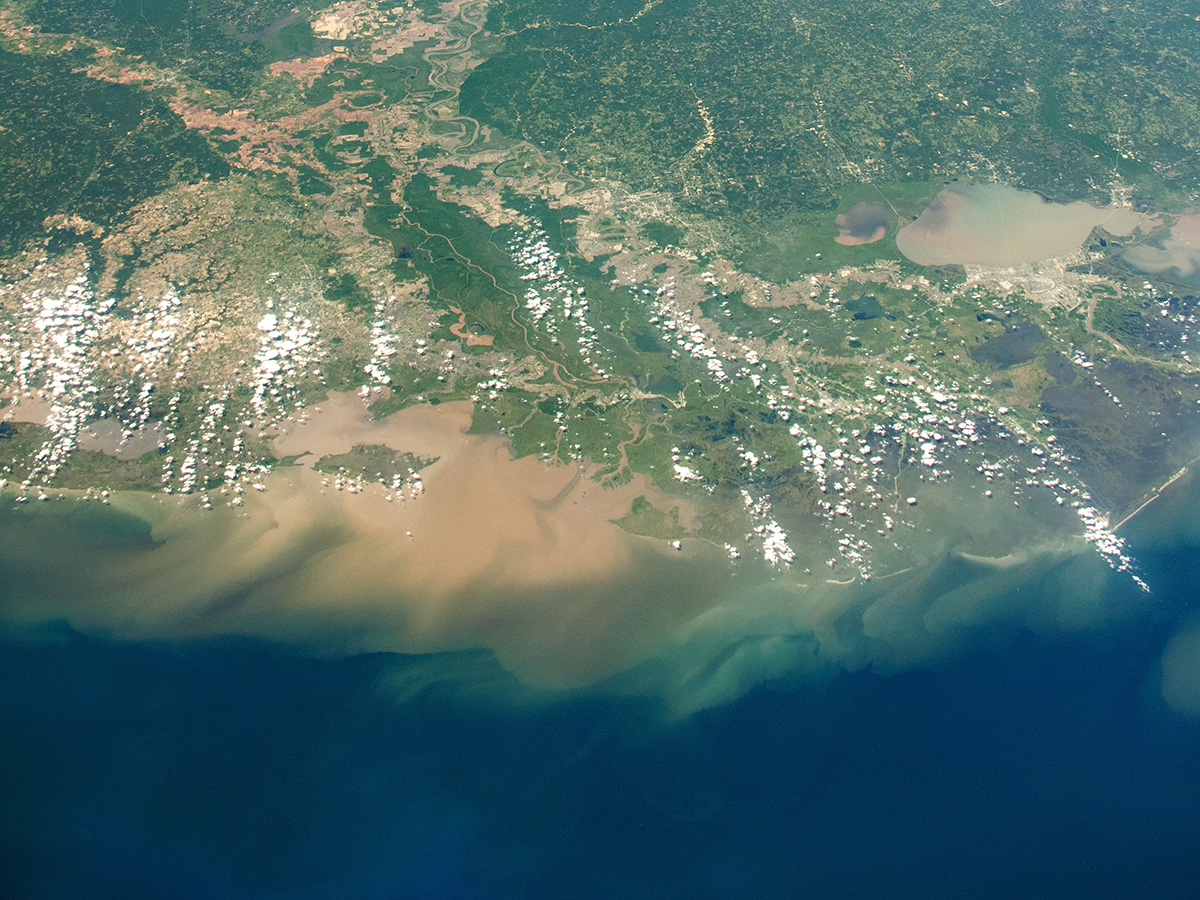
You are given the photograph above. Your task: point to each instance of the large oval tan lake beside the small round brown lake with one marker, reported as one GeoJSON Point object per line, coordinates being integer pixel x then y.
{"type": "Point", "coordinates": [995, 225]}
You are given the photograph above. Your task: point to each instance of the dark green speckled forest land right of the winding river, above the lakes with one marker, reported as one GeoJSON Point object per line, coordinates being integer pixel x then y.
{"type": "Point", "coordinates": [1051, 97]}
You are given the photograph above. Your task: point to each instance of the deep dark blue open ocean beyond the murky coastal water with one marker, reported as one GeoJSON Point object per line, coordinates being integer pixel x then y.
{"type": "Point", "coordinates": [233, 769]}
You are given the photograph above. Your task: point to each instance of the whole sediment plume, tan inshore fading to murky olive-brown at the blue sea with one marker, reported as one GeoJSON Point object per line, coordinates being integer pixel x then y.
{"type": "Point", "coordinates": [496, 553]}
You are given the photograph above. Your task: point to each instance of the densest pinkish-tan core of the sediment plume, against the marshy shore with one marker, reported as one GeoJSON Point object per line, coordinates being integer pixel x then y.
{"type": "Point", "coordinates": [483, 515]}
